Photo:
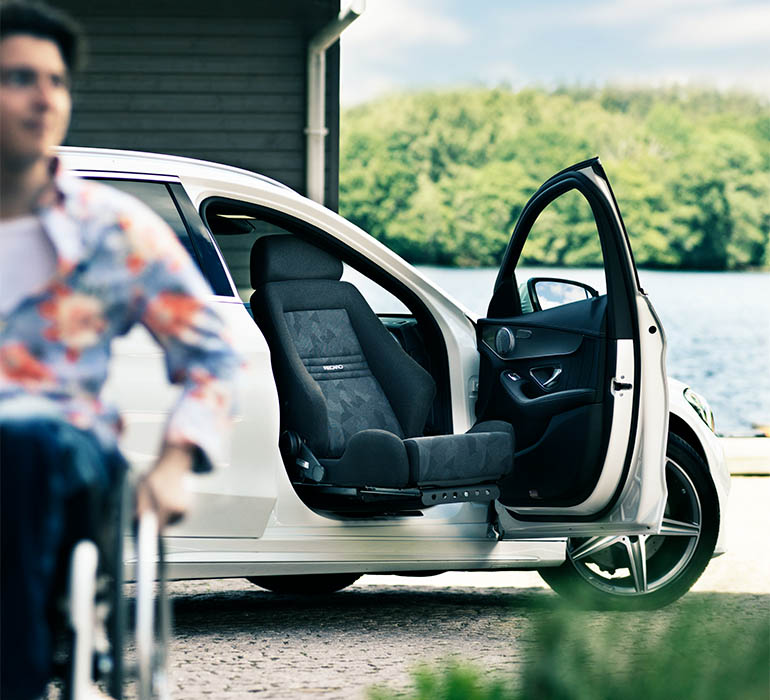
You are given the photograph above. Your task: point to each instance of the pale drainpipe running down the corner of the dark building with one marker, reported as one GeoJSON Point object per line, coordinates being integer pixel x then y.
{"type": "Point", "coordinates": [316, 98]}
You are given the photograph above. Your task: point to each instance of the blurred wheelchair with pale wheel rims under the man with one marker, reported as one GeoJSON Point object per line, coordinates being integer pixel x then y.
{"type": "Point", "coordinates": [92, 659]}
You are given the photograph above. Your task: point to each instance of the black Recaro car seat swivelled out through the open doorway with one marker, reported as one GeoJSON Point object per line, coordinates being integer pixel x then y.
{"type": "Point", "coordinates": [350, 394]}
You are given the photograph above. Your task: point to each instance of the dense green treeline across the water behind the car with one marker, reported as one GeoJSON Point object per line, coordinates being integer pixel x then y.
{"type": "Point", "coordinates": [441, 177]}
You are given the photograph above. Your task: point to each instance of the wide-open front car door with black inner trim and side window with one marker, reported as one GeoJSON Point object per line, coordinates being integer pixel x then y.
{"type": "Point", "coordinates": [577, 368]}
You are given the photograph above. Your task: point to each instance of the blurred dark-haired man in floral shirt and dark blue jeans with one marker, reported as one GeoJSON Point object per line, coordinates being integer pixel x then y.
{"type": "Point", "coordinates": [79, 265]}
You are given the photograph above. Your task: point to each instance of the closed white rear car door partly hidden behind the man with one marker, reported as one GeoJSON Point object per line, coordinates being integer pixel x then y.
{"type": "Point", "coordinates": [236, 499]}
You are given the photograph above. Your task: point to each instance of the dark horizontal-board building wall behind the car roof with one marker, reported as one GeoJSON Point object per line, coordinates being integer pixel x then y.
{"type": "Point", "coordinates": [220, 81]}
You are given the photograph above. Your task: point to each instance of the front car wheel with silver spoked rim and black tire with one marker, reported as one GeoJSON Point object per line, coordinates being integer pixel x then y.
{"type": "Point", "coordinates": [672, 563]}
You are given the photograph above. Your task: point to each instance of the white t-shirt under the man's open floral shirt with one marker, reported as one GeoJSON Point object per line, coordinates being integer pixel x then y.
{"type": "Point", "coordinates": [27, 260]}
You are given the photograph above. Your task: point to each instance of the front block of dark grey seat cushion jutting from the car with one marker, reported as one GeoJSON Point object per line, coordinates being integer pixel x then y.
{"type": "Point", "coordinates": [454, 460]}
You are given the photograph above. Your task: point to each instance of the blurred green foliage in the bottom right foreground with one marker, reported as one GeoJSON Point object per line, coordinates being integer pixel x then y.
{"type": "Point", "coordinates": [690, 653]}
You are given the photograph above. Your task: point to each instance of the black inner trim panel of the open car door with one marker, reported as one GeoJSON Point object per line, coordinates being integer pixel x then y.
{"type": "Point", "coordinates": [546, 380]}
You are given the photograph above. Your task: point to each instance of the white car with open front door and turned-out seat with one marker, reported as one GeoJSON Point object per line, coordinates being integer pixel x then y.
{"type": "Point", "coordinates": [422, 439]}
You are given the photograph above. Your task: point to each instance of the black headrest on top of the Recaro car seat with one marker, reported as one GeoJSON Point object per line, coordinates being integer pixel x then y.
{"type": "Point", "coordinates": [279, 258]}
